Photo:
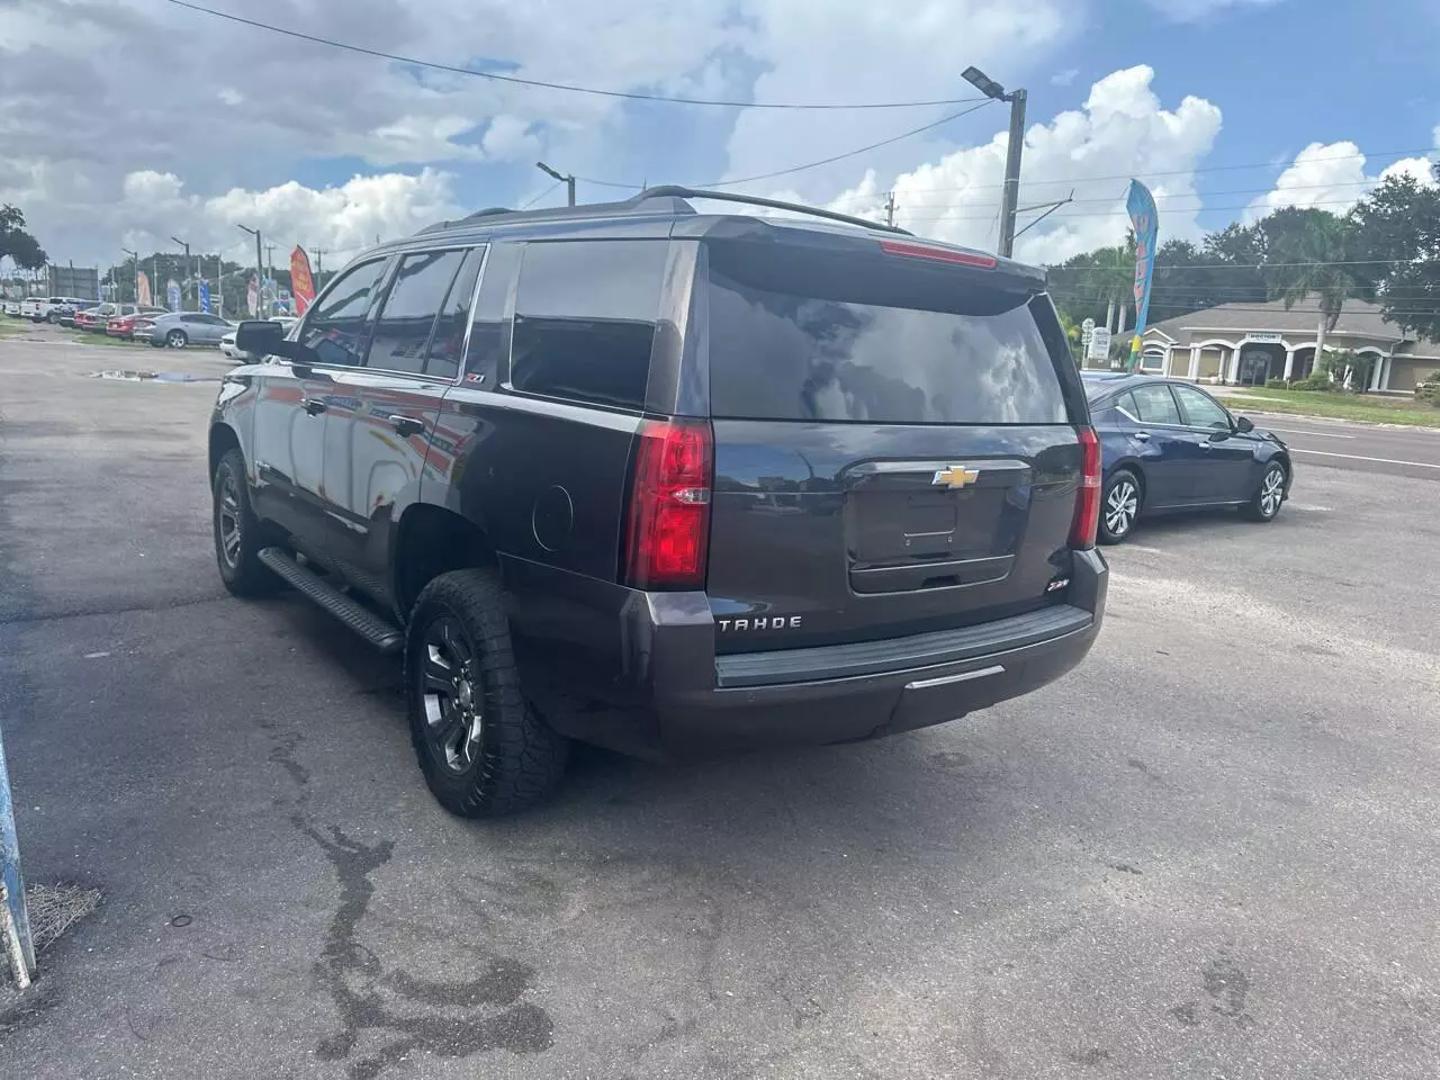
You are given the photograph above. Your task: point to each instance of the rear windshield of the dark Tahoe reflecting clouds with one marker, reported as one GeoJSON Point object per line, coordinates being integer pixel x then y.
{"type": "Point", "coordinates": [806, 336]}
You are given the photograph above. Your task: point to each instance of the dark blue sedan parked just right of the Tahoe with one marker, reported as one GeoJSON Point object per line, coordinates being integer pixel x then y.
{"type": "Point", "coordinates": [1169, 446]}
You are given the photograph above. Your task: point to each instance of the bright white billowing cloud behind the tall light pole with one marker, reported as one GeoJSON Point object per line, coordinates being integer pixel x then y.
{"type": "Point", "coordinates": [1122, 132]}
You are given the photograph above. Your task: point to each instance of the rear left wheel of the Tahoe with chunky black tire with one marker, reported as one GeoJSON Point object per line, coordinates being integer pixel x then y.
{"type": "Point", "coordinates": [482, 748]}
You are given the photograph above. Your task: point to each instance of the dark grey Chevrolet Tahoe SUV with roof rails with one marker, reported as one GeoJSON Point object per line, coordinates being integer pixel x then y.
{"type": "Point", "coordinates": [670, 483]}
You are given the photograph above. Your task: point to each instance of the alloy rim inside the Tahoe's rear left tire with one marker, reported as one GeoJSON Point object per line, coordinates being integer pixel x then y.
{"type": "Point", "coordinates": [453, 695]}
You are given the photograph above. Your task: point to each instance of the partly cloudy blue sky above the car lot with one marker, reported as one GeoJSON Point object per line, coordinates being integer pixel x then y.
{"type": "Point", "coordinates": [330, 149]}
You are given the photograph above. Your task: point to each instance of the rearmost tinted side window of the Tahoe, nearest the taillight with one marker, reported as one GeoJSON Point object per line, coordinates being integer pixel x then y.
{"type": "Point", "coordinates": [585, 320]}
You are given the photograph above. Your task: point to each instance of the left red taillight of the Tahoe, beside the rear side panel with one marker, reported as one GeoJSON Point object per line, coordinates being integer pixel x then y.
{"type": "Point", "coordinates": [670, 506]}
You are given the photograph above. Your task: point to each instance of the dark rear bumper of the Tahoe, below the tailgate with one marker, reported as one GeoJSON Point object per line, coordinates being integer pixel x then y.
{"type": "Point", "coordinates": [642, 675]}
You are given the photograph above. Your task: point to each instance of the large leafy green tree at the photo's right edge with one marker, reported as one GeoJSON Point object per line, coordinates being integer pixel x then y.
{"type": "Point", "coordinates": [1399, 231]}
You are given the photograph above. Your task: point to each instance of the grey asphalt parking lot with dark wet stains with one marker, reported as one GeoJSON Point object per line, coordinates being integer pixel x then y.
{"type": "Point", "coordinates": [1210, 852]}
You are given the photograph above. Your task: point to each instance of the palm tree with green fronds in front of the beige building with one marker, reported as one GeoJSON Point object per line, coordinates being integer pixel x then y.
{"type": "Point", "coordinates": [1307, 251]}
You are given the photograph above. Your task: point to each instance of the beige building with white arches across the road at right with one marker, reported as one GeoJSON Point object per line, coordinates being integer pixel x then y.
{"type": "Point", "coordinates": [1251, 343]}
